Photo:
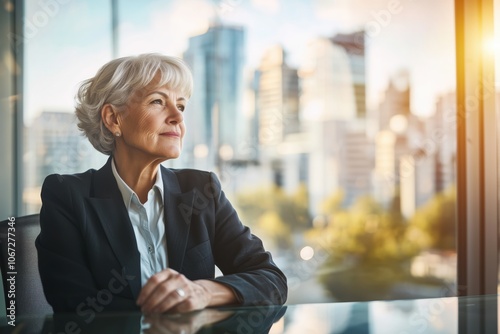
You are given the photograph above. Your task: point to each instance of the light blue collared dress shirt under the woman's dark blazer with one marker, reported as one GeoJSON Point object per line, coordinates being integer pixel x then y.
{"type": "Point", "coordinates": [148, 224]}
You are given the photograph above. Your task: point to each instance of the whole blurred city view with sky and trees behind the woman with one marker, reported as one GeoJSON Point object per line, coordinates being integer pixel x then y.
{"type": "Point", "coordinates": [316, 136]}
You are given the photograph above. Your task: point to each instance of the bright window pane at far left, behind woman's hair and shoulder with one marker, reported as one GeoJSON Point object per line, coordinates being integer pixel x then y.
{"type": "Point", "coordinates": [63, 40]}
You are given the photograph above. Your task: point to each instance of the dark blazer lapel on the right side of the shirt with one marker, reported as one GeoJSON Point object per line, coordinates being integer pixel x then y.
{"type": "Point", "coordinates": [178, 211]}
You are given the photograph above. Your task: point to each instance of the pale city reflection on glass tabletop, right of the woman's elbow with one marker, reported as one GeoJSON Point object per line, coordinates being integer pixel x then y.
{"type": "Point", "coordinates": [420, 316]}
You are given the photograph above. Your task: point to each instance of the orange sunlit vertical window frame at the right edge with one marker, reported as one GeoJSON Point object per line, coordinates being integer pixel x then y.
{"type": "Point", "coordinates": [477, 167]}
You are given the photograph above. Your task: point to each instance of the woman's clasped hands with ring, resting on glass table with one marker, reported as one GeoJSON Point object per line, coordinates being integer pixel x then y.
{"type": "Point", "coordinates": [170, 291]}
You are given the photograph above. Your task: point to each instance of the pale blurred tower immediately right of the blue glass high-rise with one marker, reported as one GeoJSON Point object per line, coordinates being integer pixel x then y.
{"type": "Point", "coordinates": [277, 98]}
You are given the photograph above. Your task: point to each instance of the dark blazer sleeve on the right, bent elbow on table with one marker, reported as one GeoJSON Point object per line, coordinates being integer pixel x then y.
{"type": "Point", "coordinates": [247, 267]}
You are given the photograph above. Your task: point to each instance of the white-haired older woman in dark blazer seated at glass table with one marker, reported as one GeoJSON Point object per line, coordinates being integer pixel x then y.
{"type": "Point", "coordinates": [134, 234]}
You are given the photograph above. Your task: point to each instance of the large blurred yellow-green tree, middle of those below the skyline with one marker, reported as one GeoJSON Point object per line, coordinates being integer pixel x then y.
{"type": "Point", "coordinates": [368, 249]}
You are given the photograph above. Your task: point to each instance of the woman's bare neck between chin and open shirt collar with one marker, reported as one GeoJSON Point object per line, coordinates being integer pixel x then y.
{"type": "Point", "coordinates": [137, 172]}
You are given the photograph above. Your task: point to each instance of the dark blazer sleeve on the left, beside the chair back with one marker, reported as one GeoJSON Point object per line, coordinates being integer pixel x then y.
{"type": "Point", "coordinates": [67, 281]}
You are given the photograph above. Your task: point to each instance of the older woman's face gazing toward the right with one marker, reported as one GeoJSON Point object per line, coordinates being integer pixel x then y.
{"type": "Point", "coordinates": [153, 124]}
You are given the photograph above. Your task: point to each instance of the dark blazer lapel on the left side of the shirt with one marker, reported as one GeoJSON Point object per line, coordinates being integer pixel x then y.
{"type": "Point", "coordinates": [108, 204]}
